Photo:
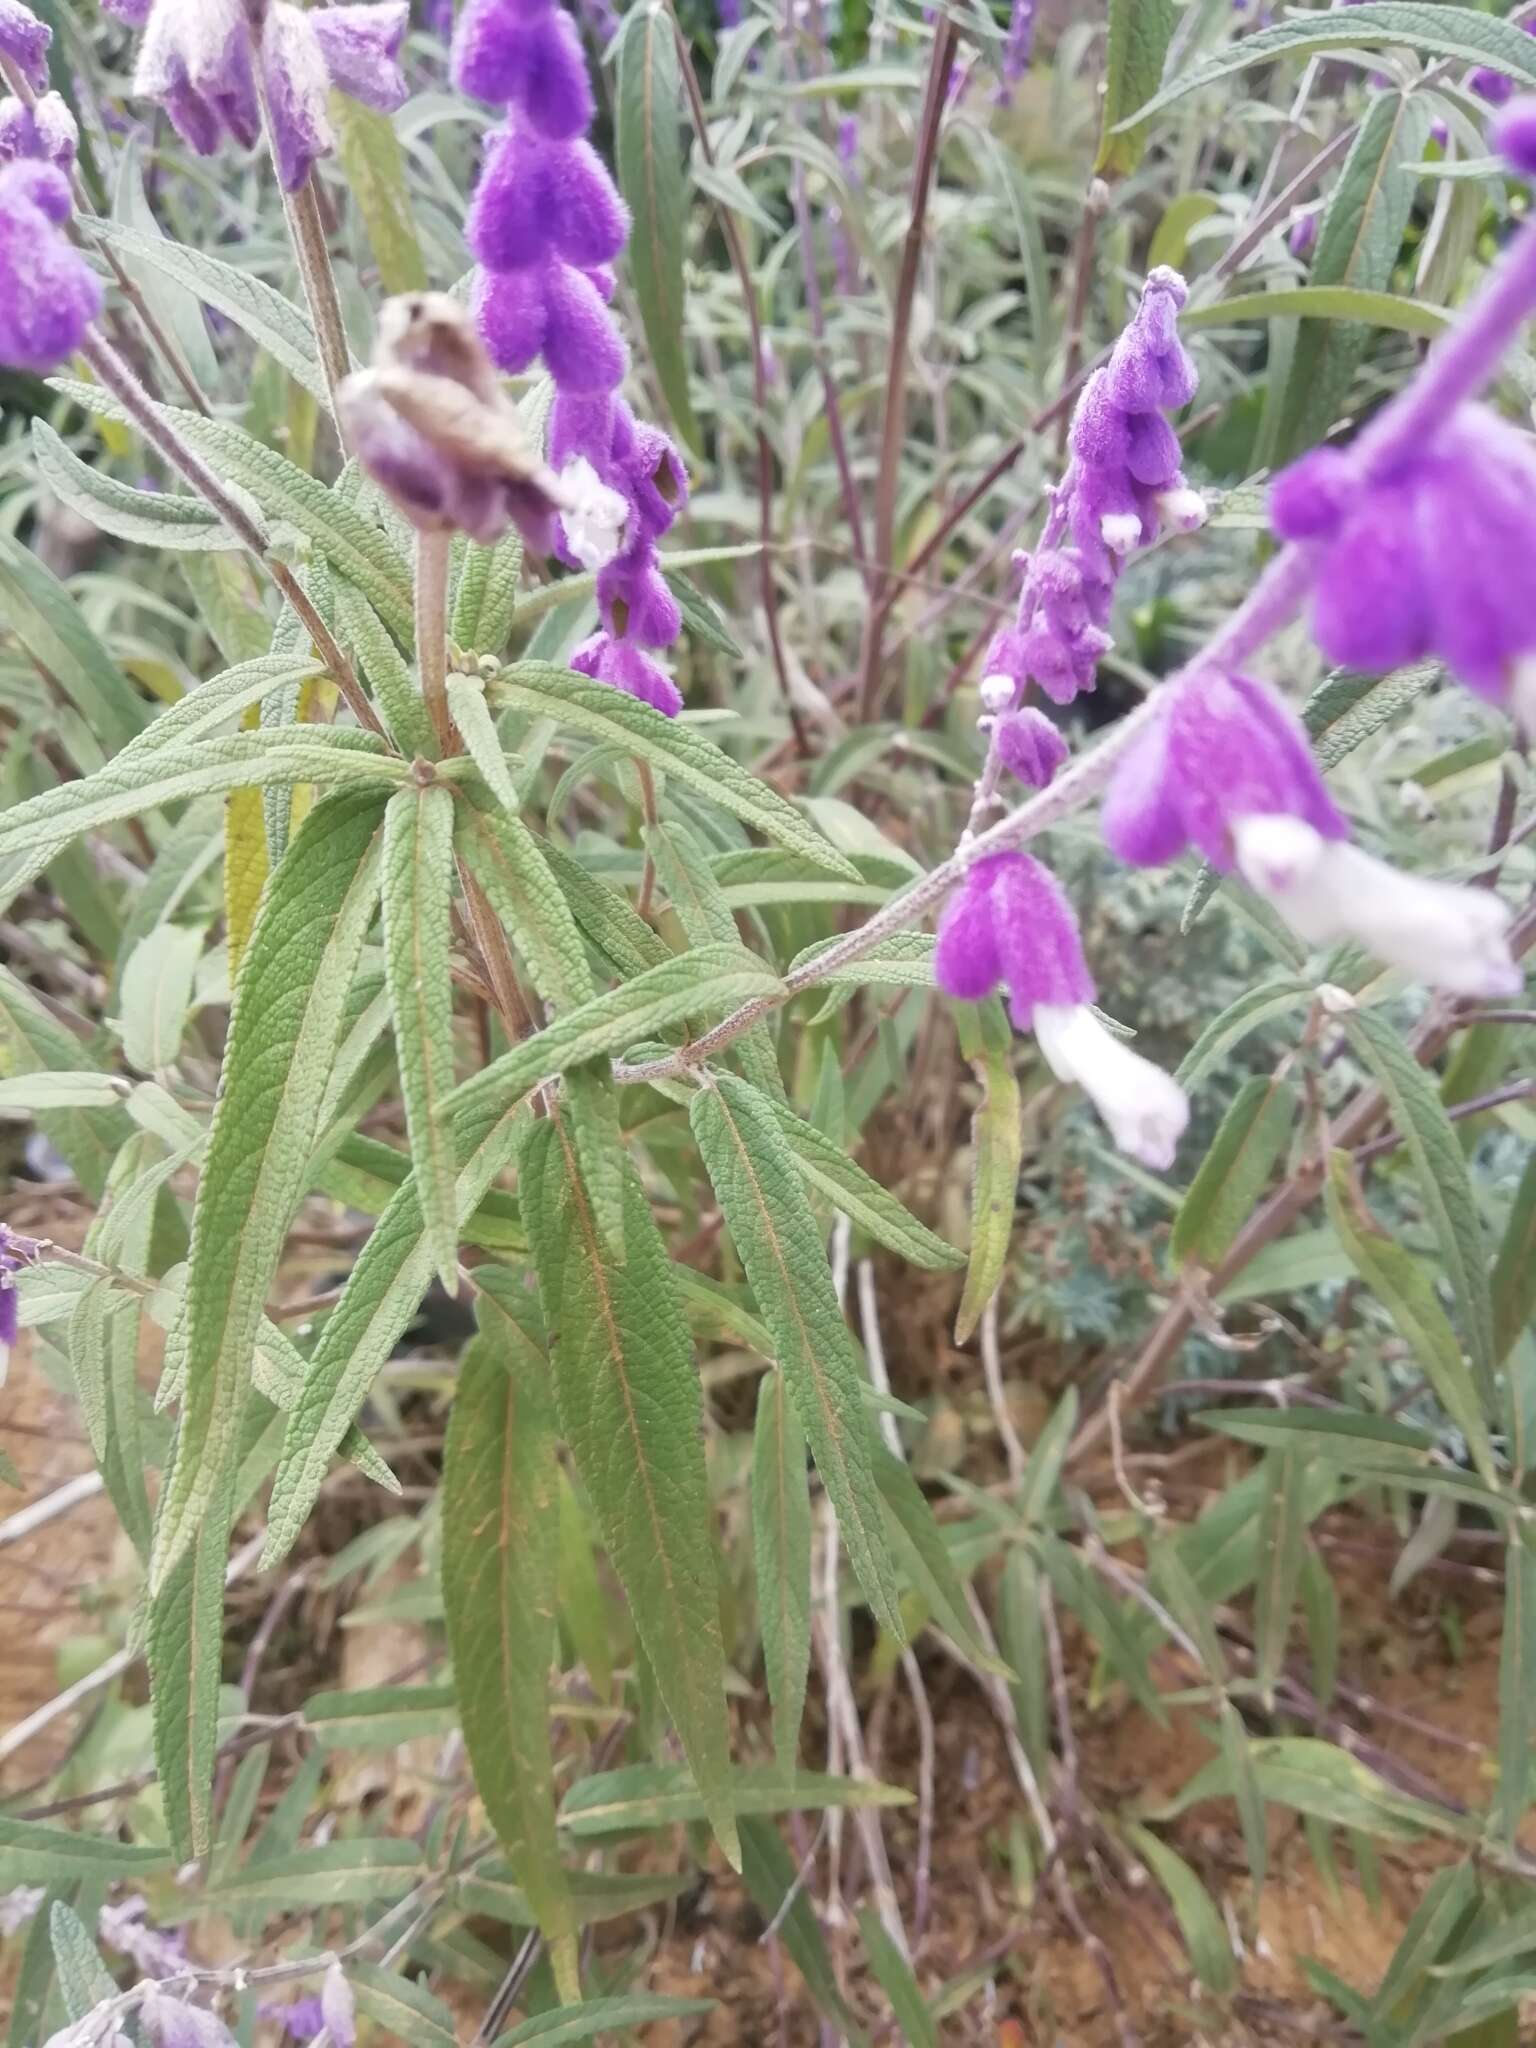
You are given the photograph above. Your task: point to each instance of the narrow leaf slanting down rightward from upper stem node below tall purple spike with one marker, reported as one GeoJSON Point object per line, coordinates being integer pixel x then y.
{"type": "Point", "coordinates": [681, 753]}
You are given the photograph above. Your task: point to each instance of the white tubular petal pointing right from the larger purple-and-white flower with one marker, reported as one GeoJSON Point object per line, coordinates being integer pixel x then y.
{"type": "Point", "coordinates": [1326, 890]}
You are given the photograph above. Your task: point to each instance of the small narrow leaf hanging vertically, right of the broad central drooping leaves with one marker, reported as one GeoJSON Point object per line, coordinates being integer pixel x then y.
{"type": "Point", "coordinates": [781, 1555]}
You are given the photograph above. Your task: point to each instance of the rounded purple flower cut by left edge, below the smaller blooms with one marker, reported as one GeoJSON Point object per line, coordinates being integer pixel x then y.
{"type": "Point", "coordinates": [48, 292]}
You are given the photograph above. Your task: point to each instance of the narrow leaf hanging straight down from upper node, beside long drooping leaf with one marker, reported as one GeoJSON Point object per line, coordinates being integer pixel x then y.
{"type": "Point", "coordinates": [417, 902]}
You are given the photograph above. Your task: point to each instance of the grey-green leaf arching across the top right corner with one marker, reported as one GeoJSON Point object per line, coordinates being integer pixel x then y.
{"type": "Point", "coordinates": [1424, 26]}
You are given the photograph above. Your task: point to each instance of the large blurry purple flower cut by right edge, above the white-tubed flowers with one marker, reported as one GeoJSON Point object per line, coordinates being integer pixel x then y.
{"type": "Point", "coordinates": [1428, 560]}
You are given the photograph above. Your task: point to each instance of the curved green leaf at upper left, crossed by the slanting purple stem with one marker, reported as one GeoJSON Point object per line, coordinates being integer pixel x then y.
{"type": "Point", "coordinates": [341, 534]}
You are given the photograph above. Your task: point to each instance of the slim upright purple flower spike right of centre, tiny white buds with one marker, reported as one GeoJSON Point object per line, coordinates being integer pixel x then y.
{"type": "Point", "coordinates": [1121, 488]}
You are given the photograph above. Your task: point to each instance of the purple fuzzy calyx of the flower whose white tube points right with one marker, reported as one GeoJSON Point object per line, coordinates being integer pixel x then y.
{"type": "Point", "coordinates": [1220, 751]}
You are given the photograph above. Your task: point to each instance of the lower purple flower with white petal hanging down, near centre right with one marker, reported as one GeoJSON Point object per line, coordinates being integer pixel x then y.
{"type": "Point", "coordinates": [1011, 925]}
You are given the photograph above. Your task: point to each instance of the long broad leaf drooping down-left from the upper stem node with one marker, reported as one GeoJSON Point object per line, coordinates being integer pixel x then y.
{"type": "Point", "coordinates": [284, 1033]}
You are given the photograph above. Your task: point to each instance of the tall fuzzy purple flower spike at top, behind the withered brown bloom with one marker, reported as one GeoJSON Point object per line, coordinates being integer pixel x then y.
{"type": "Point", "coordinates": [546, 228]}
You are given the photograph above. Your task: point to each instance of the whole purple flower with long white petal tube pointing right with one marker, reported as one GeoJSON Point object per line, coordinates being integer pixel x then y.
{"type": "Point", "coordinates": [1226, 769]}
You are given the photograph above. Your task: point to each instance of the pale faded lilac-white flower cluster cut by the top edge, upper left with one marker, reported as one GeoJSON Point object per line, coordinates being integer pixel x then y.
{"type": "Point", "coordinates": [202, 62]}
